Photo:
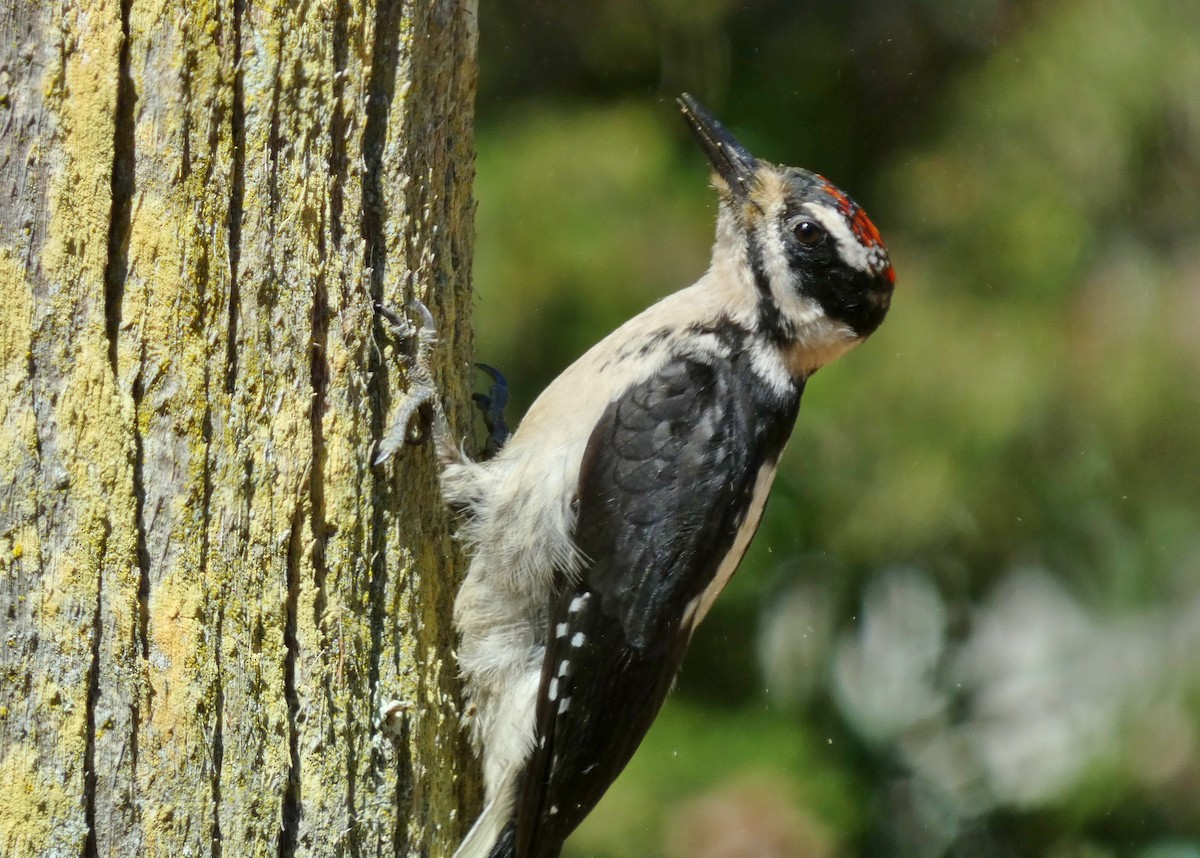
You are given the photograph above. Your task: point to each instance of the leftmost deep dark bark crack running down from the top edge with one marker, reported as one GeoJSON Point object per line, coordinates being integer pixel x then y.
{"type": "Point", "coordinates": [123, 177]}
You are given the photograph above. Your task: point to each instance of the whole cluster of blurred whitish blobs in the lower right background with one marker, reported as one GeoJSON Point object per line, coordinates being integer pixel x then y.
{"type": "Point", "coordinates": [1039, 694]}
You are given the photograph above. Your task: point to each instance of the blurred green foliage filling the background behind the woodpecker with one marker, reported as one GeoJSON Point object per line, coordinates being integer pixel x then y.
{"type": "Point", "coordinates": [1031, 403]}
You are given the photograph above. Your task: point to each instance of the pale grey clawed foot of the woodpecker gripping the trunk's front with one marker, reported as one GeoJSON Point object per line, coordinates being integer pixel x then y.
{"type": "Point", "coordinates": [422, 399]}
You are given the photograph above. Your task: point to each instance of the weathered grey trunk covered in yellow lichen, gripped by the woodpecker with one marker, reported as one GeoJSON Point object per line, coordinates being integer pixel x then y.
{"type": "Point", "coordinates": [206, 587]}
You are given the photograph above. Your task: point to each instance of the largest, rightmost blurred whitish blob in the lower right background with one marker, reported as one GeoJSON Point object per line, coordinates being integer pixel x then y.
{"type": "Point", "coordinates": [1052, 687]}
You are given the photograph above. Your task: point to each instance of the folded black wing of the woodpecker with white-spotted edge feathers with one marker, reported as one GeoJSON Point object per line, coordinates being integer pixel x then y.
{"type": "Point", "coordinates": [664, 488]}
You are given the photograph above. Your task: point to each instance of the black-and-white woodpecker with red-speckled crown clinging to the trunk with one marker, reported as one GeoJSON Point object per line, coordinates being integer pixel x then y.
{"type": "Point", "coordinates": [604, 530]}
